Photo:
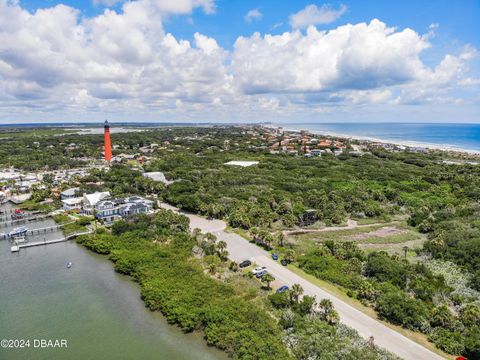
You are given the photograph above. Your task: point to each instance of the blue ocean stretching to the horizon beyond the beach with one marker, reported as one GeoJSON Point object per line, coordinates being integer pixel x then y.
{"type": "Point", "coordinates": [455, 136]}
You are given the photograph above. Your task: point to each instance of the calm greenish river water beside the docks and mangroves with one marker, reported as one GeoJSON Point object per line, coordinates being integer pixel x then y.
{"type": "Point", "coordinates": [98, 311]}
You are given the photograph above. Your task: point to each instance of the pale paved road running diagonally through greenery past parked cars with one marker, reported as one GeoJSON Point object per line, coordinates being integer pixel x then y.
{"type": "Point", "coordinates": [240, 249]}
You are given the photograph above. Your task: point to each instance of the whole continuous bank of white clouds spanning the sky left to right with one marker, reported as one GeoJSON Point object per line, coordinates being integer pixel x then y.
{"type": "Point", "coordinates": [123, 61]}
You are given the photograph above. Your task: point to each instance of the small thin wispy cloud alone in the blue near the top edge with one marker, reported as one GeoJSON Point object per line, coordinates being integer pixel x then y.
{"type": "Point", "coordinates": [314, 15]}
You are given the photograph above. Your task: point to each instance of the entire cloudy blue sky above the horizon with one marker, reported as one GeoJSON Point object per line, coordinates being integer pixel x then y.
{"type": "Point", "coordinates": [239, 61]}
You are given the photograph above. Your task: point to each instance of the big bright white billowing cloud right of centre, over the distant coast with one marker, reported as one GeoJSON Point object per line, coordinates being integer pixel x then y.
{"type": "Point", "coordinates": [361, 56]}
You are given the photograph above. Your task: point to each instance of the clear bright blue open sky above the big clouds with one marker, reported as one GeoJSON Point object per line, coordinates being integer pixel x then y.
{"type": "Point", "coordinates": [460, 20]}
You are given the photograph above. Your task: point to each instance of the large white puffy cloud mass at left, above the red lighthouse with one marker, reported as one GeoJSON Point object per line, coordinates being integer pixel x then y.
{"type": "Point", "coordinates": [110, 56]}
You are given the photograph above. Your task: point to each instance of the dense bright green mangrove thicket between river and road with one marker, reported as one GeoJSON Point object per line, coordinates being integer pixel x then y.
{"type": "Point", "coordinates": [175, 284]}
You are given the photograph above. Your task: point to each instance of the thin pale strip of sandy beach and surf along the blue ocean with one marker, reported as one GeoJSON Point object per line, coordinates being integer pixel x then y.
{"type": "Point", "coordinates": [406, 143]}
